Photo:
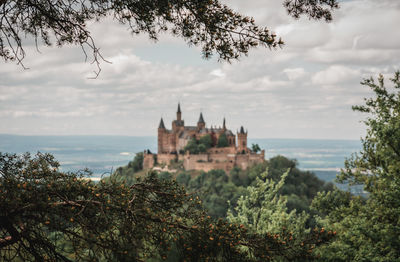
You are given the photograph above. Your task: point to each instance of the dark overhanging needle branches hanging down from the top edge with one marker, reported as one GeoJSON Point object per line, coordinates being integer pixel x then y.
{"type": "Point", "coordinates": [209, 24]}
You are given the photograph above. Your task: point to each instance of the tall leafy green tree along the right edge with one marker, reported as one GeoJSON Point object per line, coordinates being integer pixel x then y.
{"type": "Point", "coordinates": [369, 228]}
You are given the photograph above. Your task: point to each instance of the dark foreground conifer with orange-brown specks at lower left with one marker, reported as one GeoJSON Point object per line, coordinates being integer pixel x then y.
{"type": "Point", "coordinates": [48, 215]}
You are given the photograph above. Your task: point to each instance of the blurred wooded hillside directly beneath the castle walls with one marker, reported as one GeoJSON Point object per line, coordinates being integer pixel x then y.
{"type": "Point", "coordinates": [217, 189]}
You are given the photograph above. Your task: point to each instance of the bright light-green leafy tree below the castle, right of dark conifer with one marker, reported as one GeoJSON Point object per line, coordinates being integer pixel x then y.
{"type": "Point", "coordinates": [264, 211]}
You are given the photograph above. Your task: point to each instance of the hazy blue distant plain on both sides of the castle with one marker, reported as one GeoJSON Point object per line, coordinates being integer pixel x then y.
{"type": "Point", "coordinates": [102, 154]}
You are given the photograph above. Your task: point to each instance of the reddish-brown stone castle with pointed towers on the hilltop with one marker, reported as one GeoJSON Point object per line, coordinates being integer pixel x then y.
{"type": "Point", "coordinates": [172, 143]}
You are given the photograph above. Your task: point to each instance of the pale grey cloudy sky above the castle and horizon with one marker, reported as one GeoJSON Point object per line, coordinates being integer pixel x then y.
{"type": "Point", "coordinates": [303, 90]}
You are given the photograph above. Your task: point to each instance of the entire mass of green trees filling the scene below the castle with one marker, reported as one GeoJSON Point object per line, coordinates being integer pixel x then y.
{"type": "Point", "coordinates": [270, 212]}
